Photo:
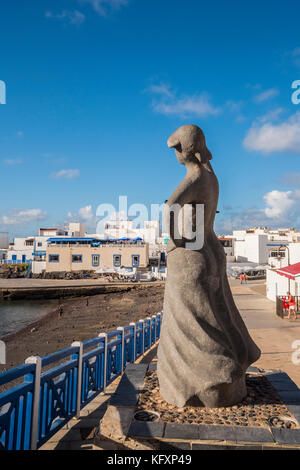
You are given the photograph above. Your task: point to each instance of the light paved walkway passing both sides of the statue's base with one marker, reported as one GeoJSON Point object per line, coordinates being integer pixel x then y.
{"type": "Point", "coordinates": [273, 335]}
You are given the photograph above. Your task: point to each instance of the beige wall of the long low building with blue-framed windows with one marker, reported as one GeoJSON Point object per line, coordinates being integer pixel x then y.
{"type": "Point", "coordinates": [106, 259]}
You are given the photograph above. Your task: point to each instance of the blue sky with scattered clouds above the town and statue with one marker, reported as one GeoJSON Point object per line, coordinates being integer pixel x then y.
{"type": "Point", "coordinates": [95, 87]}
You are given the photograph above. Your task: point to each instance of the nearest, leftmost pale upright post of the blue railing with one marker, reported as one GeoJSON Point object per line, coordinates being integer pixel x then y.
{"type": "Point", "coordinates": [36, 399]}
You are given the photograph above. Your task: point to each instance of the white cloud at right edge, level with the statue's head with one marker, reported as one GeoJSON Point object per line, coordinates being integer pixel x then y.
{"type": "Point", "coordinates": [272, 138]}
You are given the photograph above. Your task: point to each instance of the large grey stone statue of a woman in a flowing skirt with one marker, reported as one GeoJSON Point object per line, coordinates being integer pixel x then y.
{"type": "Point", "coordinates": [205, 348]}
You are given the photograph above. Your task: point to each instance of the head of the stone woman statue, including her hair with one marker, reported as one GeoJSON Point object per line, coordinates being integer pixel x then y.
{"type": "Point", "coordinates": [189, 144]}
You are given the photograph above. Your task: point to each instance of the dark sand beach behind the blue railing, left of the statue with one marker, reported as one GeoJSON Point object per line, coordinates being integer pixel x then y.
{"type": "Point", "coordinates": [83, 318]}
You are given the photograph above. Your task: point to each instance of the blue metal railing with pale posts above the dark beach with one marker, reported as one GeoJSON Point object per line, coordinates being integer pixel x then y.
{"type": "Point", "coordinates": [32, 411]}
